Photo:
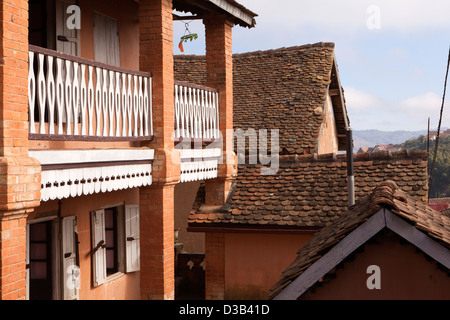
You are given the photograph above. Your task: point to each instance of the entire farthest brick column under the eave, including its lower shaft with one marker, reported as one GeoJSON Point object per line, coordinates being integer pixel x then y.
{"type": "Point", "coordinates": [219, 65]}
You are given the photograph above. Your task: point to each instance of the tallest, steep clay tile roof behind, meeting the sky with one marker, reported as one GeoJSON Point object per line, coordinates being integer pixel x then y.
{"type": "Point", "coordinates": [282, 89]}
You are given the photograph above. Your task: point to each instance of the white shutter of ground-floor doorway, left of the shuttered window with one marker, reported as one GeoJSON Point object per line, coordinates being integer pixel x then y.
{"type": "Point", "coordinates": [70, 270]}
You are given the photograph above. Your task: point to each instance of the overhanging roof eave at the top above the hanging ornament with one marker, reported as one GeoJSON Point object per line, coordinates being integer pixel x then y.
{"type": "Point", "coordinates": [240, 14]}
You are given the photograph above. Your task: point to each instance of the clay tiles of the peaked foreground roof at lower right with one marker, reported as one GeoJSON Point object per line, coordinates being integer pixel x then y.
{"type": "Point", "coordinates": [386, 195]}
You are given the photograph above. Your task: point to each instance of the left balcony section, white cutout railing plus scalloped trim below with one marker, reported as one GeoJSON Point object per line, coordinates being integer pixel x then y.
{"type": "Point", "coordinates": [76, 99]}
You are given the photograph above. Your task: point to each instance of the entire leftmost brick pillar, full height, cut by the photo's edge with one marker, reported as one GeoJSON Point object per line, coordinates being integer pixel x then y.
{"type": "Point", "coordinates": [19, 174]}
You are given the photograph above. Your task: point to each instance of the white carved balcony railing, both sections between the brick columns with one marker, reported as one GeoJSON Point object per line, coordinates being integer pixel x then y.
{"type": "Point", "coordinates": [72, 98]}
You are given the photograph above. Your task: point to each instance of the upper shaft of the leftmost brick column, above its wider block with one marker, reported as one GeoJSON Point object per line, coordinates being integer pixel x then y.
{"type": "Point", "coordinates": [14, 78]}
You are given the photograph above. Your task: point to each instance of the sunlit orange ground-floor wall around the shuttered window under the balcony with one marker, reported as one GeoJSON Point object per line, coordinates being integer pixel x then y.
{"type": "Point", "coordinates": [126, 286]}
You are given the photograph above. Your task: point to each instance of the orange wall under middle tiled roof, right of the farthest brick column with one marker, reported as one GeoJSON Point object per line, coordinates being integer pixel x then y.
{"type": "Point", "coordinates": [254, 262]}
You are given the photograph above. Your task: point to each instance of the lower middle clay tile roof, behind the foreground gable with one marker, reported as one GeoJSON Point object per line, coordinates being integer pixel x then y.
{"type": "Point", "coordinates": [310, 191]}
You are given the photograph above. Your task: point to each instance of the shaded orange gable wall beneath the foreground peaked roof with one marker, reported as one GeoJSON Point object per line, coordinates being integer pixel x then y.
{"type": "Point", "coordinates": [405, 273]}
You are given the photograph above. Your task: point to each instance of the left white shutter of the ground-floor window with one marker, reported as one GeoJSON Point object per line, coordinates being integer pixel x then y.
{"type": "Point", "coordinates": [98, 247]}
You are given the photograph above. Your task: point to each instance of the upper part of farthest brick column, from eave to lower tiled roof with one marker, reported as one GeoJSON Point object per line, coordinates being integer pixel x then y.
{"type": "Point", "coordinates": [219, 75]}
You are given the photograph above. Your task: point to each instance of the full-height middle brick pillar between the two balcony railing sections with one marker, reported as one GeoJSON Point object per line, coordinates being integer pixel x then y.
{"type": "Point", "coordinates": [157, 201]}
